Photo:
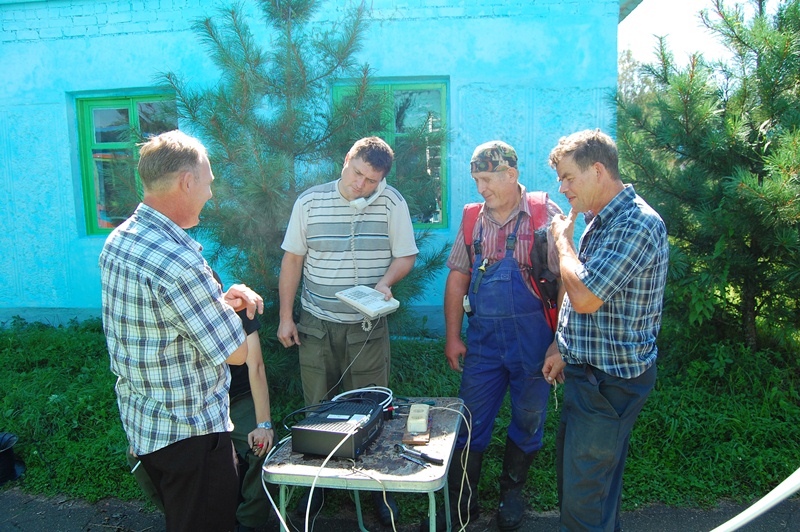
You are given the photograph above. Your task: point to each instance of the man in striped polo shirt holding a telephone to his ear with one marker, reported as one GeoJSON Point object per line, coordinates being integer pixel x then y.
{"type": "Point", "coordinates": [352, 231]}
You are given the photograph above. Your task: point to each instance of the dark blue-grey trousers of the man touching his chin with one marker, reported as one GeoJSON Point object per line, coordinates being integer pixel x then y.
{"type": "Point", "coordinates": [592, 444]}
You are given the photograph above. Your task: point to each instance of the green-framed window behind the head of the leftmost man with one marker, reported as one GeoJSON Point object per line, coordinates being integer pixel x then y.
{"type": "Point", "coordinates": [108, 131]}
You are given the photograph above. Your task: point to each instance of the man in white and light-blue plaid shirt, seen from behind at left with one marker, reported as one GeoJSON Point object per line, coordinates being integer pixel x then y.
{"type": "Point", "coordinates": [171, 332]}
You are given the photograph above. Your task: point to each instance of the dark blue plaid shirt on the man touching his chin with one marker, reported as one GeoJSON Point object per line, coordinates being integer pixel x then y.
{"type": "Point", "coordinates": [624, 255]}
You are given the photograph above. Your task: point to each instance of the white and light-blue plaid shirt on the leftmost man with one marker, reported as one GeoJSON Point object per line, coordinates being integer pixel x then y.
{"type": "Point", "coordinates": [168, 333]}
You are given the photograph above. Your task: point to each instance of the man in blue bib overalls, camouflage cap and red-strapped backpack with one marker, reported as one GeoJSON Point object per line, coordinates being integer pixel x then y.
{"type": "Point", "coordinates": [507, 335]}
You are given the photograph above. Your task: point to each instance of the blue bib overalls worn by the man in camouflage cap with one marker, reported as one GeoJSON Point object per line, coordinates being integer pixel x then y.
{"type": "Point", "coordinates": [507, 338]}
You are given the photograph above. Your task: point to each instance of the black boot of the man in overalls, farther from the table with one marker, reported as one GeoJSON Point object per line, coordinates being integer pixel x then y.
{"type": "Point", "coordinates": [512, 479]}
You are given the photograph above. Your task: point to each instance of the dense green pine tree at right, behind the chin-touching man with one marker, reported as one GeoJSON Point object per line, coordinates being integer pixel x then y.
{"type": "Point", "coordinates": [717, 152]}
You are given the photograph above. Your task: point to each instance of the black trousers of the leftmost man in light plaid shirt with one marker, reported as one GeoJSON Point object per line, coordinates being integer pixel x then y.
{"type": "Point", "coordinates": [197, 480]}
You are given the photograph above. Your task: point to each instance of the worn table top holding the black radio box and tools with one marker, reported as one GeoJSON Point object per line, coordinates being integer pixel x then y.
{"type": "Point", "coordinates": [380, 464]}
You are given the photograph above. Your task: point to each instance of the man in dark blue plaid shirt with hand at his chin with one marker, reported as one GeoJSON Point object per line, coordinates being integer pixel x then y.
{"type": "Point", "coordinates": [607, 328]}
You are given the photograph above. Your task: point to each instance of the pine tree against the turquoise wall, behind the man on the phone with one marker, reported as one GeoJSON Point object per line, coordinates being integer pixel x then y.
{"type": "Point", "coordinates": [272, 133]}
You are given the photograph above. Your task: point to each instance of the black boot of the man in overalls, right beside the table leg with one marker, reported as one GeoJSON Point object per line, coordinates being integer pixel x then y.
{"type": "Point", "coordinates": [469, 508]}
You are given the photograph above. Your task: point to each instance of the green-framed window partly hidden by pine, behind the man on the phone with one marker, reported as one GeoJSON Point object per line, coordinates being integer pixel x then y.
{"type": "Point", "coordinates": [413, 124]}
